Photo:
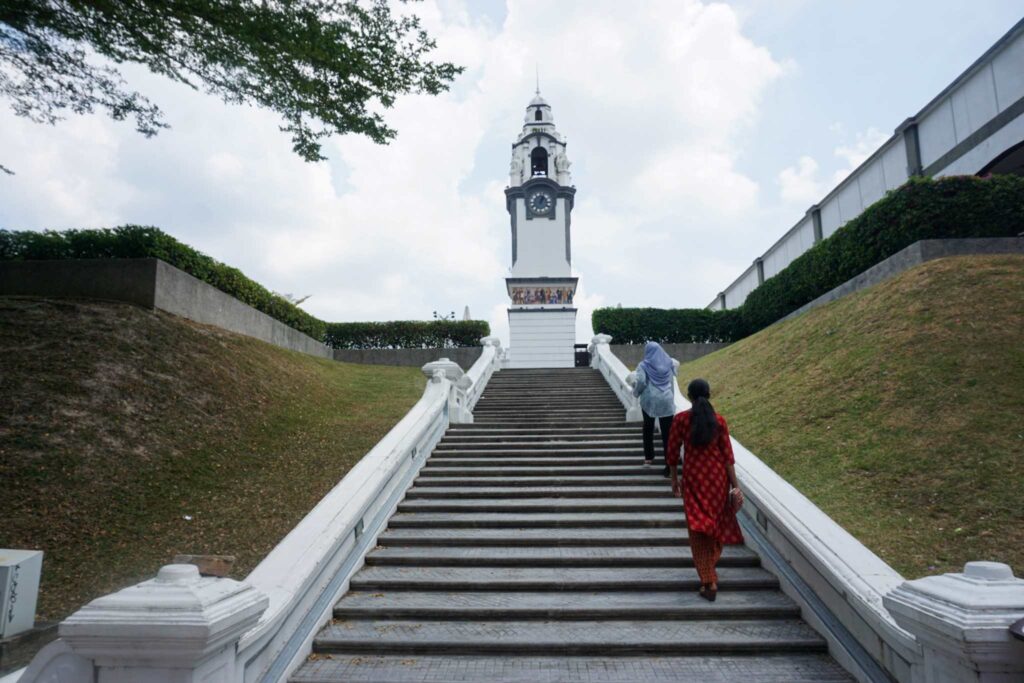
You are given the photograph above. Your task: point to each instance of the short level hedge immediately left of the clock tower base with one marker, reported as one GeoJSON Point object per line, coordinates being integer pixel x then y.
{"type": "Point", "coordinates": [407, 334]}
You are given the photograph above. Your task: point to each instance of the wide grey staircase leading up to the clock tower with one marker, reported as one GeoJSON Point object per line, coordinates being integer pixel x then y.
{"type": "Point", "coordinates": [535, 546]}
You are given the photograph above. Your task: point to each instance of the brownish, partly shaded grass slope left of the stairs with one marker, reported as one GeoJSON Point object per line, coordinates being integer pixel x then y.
{"type": "Point", "coordinates": [129, 436]}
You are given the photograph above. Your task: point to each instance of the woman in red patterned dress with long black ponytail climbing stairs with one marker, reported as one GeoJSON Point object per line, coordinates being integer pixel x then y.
{"type": "Point", "coordinates": [711, 493]}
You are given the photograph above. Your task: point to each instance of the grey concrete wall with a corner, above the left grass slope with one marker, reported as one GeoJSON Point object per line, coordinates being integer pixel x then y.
{"type": "Point", "coordinates": [154, 284]}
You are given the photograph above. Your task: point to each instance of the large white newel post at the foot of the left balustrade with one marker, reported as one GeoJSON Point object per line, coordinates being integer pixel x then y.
{"type": "Point", "coordinates": [178, 628]}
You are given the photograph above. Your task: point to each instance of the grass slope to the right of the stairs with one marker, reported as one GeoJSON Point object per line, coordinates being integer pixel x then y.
{"type": "Point", "coordinates": [899, 410]}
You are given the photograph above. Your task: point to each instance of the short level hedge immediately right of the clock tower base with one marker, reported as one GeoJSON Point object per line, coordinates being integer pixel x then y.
{"type": "Point", "coordinates": [675, 326]}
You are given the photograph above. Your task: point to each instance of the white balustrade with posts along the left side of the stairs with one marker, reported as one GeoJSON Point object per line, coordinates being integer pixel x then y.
{"type": "Point", "coordinates": [184, 628]}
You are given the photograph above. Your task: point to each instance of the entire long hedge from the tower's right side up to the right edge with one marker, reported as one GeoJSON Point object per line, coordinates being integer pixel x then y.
{"type": "Point", "coordinates": [921, 209]}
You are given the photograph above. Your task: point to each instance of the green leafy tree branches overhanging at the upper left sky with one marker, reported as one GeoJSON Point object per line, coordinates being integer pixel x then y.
{"type": "Point", "coordinates": [325, 66]}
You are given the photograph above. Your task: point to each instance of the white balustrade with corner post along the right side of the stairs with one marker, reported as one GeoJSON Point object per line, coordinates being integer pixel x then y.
{"type": "Point", "coordinates": [947, 629]}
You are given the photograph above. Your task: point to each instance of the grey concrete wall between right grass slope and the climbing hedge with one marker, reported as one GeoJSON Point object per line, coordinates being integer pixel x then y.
{"type": "Point", "coordinates": [916, 254]}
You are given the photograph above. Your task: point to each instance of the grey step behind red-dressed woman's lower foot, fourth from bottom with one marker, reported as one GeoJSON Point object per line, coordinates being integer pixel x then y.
{"type": "Point", "coordinates": [553, 579]}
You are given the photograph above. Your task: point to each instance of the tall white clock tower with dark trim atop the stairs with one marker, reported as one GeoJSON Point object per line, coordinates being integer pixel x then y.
{"type": "Point", "coordinates": [541, 286]}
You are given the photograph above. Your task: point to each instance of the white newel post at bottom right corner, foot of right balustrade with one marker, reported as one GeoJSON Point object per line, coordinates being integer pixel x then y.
{"type": "Point", "coordinates": [962, 623]}
